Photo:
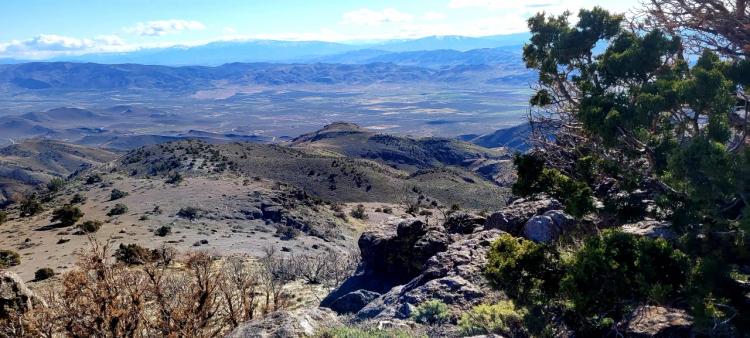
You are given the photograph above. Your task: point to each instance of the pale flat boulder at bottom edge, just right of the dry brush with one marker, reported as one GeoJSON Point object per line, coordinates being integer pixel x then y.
{"type": "Point", "coordinates": [288, 324]}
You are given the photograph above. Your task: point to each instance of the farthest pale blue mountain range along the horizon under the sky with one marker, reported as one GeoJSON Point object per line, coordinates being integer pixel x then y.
{"type": "Point", "coordinates": [221, 52]}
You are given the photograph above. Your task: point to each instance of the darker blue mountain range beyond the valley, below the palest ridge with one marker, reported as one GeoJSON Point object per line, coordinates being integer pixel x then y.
{"type": "Point", "coordinates": [489, 65]}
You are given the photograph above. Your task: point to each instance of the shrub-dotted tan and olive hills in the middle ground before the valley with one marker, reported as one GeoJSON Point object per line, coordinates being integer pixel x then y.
{"type": "Point", "coordinates": [244, 196]}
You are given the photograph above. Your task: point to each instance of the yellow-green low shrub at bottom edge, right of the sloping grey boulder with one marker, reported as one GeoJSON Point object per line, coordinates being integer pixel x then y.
{"type": "Point", "coordinates": [501, 318]}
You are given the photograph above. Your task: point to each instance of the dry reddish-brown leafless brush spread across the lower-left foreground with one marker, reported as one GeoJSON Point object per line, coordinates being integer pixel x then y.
{"type": "Point", "coordinates": [197, 294]}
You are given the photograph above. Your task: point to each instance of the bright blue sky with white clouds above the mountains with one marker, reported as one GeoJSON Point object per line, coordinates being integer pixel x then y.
{"type": "Point", "coordinates": [37, 29]}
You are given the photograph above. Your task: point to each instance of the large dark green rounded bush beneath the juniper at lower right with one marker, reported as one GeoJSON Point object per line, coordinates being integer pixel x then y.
{"type": "Point", "coordinates": [632, 268]}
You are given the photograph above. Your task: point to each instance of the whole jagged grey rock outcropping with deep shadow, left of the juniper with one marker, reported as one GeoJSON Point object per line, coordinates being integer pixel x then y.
{"type": "Point", "coordinates": [409, 262]}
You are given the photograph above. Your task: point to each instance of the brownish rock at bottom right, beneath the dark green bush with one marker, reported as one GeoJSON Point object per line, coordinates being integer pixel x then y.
{"type": "Point", "coordinates": [658, 321]}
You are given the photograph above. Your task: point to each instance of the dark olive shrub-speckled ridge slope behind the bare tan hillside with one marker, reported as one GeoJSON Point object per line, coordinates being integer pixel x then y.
{"type": "Point", "coordinates": [329, 176]}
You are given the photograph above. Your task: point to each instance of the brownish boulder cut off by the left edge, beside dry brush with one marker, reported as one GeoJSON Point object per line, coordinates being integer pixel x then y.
{"type": "Point", "coordinates": [15, 296]}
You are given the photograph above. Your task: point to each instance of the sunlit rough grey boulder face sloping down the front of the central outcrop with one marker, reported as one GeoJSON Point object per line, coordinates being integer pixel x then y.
{"type": "Point", "coordinates": [453, 276]}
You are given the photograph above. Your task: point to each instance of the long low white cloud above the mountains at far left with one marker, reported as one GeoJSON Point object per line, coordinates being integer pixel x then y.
{"type": "Point", "coordinates": [48, 45]}
